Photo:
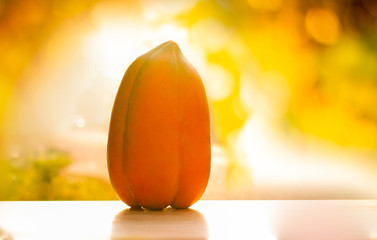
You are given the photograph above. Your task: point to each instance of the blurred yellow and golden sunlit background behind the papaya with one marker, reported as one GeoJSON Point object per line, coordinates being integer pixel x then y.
{"type": "Point", "coordinates": [292, 89]}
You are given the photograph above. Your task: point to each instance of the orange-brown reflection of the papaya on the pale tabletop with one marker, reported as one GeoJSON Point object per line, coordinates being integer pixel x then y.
{"type": "Point", "coordinates": [156, 224]}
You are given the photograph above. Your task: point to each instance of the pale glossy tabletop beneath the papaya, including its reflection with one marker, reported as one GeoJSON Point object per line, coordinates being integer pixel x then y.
{"type": "Point", "coordinates": [263, 220]}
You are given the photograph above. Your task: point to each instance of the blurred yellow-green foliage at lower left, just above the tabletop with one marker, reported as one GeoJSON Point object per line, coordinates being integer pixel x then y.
{"type": "Point", "coordinates": [42, 176]}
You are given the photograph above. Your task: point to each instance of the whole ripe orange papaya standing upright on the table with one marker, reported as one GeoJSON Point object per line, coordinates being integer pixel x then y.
{"type": "Point", "coordinates": [159, 149]}
